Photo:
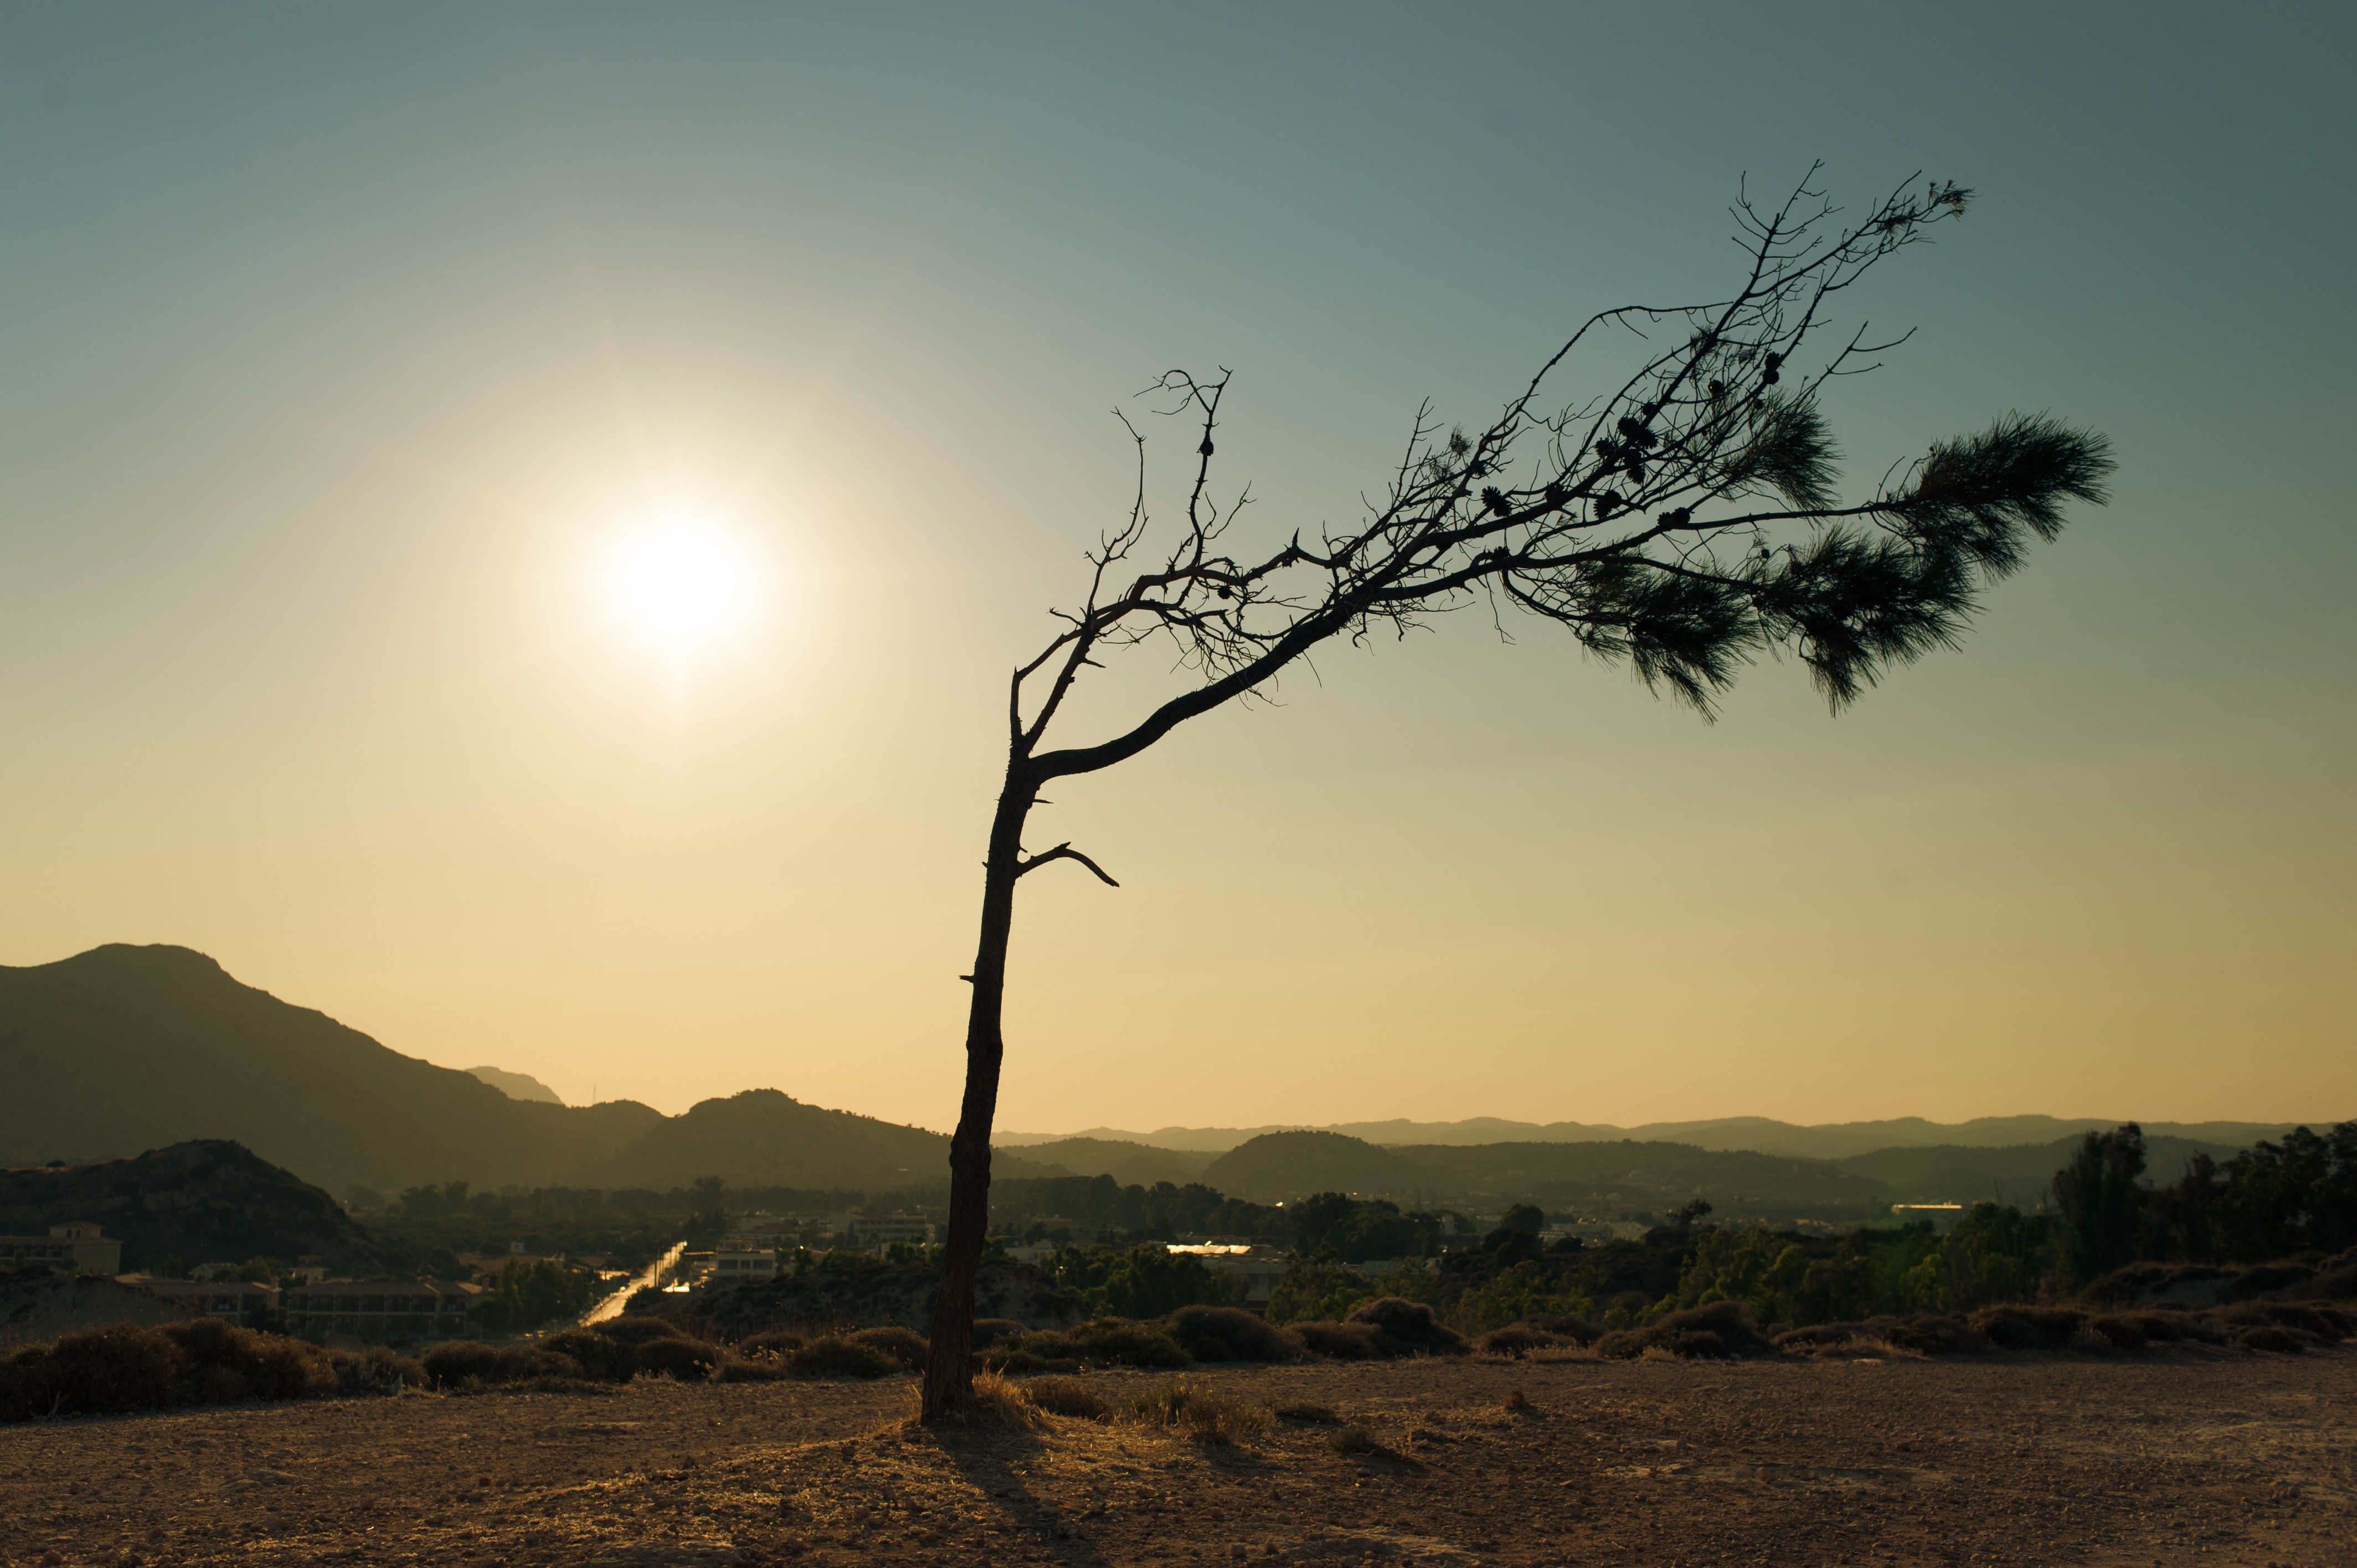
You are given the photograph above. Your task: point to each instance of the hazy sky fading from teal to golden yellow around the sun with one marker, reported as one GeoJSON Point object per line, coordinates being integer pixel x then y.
{"type": "Point", "coordinates": [341, 348]}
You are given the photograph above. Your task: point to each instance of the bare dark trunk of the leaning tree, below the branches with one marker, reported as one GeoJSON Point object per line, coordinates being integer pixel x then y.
{"type": "Point", "coordinates": [949, 1366]}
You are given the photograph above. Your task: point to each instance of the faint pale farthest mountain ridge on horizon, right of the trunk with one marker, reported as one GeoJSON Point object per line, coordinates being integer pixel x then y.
{"type": "Point", "coordinates": [1729, 1133]}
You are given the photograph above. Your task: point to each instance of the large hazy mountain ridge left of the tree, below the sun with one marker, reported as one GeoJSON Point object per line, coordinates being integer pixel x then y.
{"type": "Point", "coordinates": [126, 1050]}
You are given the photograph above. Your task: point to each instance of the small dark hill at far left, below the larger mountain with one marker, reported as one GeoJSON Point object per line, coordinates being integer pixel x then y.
{"type": "Point", "coordinates": [204, 1204]}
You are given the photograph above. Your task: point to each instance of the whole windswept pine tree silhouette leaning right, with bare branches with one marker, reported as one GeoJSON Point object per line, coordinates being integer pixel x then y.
{"type": "Point", "coordinates": [1684, 522]}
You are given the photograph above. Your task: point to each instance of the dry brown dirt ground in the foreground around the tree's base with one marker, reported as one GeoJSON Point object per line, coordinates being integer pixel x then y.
{"type": "Point", "coordinates": [2167, 1458]}
